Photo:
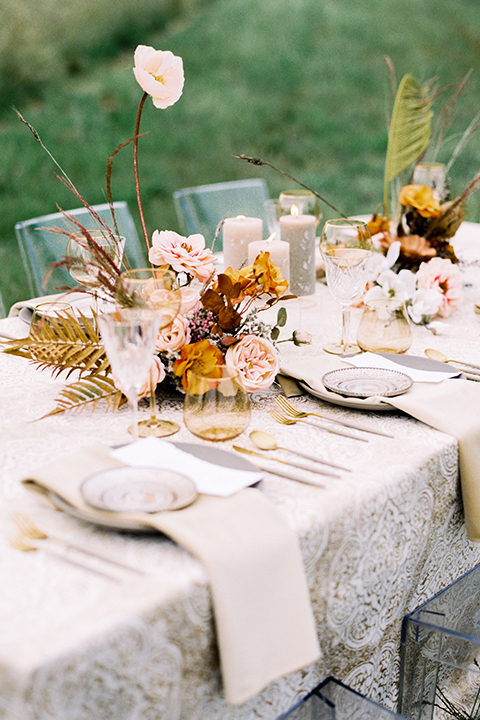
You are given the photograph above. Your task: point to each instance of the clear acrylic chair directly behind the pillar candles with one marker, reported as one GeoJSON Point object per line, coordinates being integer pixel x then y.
{"type": "Point", "coordinates": [200, 209]}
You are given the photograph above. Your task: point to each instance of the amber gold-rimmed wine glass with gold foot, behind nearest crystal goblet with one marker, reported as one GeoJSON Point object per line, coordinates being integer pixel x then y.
{"type": "Point", "coordinates": [158, 290]}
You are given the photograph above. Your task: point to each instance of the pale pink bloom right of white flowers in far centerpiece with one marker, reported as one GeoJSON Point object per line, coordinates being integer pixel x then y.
{"type": "Point", "coordinates": [442, 275]}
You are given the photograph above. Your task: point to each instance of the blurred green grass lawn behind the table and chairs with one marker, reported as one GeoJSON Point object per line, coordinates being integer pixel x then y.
{"type": "Point", "coordinates": [301, 83]}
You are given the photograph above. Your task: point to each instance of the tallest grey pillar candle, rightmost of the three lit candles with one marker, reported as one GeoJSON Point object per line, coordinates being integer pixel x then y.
{"type": "Point", "coordinates": [299, 232]}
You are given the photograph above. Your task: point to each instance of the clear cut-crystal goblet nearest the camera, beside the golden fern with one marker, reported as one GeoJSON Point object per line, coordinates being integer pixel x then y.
{"type": "Point", "coordinates": [129, 336]}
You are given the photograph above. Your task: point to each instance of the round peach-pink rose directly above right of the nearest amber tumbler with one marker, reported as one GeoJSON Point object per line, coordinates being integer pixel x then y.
{"type": "Point", "coordinates": [256, 361]}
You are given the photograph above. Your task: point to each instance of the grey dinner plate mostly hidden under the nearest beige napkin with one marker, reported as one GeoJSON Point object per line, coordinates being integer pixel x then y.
{"type": "Point", "coordinates": [214, 455]}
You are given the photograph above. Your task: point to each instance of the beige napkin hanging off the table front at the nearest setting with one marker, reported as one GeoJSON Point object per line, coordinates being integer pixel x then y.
{"type": "Point", "coordinates": [264, 621]}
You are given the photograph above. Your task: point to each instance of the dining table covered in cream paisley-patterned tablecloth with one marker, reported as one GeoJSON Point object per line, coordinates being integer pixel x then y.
{"type": "Point", "coordinates": [376, 541]}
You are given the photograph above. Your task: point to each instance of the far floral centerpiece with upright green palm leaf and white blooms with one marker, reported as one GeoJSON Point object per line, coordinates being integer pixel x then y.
{"type": "Point", "coordinates": [412, 229]}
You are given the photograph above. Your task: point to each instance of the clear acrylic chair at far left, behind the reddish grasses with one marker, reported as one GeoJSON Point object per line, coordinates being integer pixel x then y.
{"type": "Point", "coordinates": [39, 247]}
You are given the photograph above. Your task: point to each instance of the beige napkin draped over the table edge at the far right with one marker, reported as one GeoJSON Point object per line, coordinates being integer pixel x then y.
{"type": "Point", "coordinates": [451, 406]}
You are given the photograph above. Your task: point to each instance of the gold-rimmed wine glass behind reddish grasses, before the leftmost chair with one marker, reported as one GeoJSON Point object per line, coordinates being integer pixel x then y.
{"type": "Point", "coordinates": [89, 256]}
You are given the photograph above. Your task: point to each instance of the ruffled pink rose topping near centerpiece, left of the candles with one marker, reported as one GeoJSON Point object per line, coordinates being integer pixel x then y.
{"type": "Point", "coordinates": [187, 255]}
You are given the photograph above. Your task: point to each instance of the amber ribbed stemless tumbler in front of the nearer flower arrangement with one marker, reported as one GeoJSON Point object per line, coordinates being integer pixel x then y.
{"type": "Point", "coordinates": [216, 408]}
